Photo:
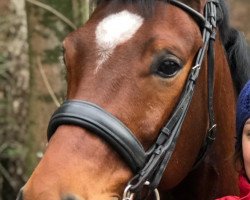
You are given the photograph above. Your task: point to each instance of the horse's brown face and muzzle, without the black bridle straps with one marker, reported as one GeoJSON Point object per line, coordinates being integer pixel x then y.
{"type": "Point", "coordinates": [135, 68]}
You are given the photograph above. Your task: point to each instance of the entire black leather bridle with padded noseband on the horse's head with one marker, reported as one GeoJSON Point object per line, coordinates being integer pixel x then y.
{"type": "Point", "coordinates": [148, 166]}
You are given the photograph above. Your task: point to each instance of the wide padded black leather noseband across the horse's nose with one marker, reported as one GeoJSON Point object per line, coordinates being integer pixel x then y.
{"type": "Point", "coordinates": [92, 117]}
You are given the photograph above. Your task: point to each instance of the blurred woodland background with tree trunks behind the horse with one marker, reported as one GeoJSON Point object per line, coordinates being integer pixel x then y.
{"type": "Point", "coordinates": [32, 80]}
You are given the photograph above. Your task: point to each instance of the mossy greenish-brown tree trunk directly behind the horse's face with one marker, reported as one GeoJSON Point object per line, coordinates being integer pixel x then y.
{"type": "Point", "coordinates": [46, 32]}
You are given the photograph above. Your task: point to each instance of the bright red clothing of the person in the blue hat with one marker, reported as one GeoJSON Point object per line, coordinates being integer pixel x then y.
{"type": "Point", "coordinates": [244, 186]}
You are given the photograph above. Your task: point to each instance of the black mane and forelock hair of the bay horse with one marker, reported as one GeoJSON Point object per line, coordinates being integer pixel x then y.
{"type": "Point", "coordinates": [233, 40]}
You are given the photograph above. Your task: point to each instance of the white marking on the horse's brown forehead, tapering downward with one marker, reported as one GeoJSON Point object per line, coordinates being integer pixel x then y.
{"type": "Point", "coordinates": [114, 30]}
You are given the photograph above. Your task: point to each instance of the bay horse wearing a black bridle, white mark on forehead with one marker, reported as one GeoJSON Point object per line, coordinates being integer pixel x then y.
{"type": "Point", "coordinates": [128, 129]}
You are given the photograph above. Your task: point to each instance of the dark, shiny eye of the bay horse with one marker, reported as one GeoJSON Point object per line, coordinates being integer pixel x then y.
{"type": "Point", "coordinates": [167, 68]}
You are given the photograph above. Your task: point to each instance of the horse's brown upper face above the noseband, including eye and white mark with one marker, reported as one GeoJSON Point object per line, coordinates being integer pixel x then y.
{"type": "Point", "coordinates": [131, 66]}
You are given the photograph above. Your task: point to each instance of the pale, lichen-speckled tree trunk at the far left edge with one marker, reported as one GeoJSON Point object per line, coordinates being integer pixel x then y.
{"type": "Point", "coordinates": [14, 85]}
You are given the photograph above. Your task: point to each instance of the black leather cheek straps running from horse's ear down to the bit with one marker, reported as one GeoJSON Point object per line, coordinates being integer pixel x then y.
{"type": "Point", "coordinates": [165, 144]}
